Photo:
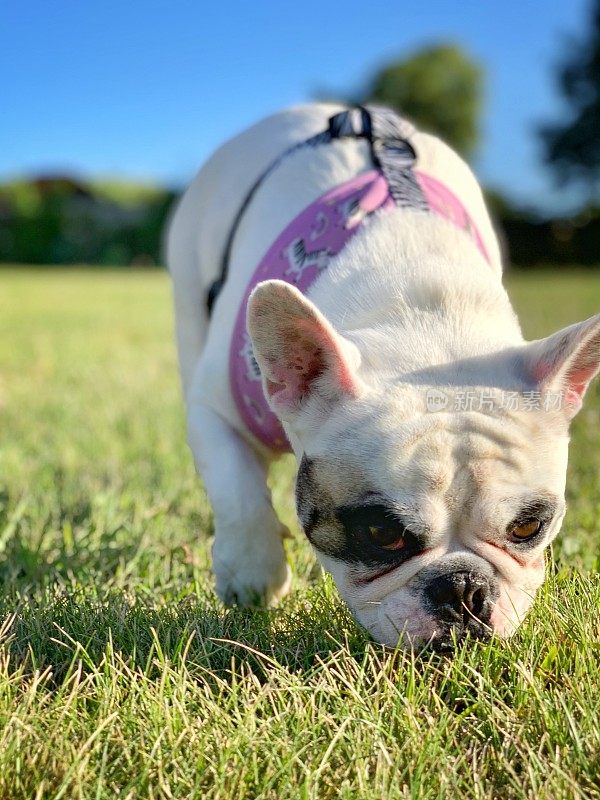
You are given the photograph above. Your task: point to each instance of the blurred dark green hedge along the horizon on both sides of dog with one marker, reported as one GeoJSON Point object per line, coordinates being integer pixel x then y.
{"type": "Point", "coordinates": [59, 220]}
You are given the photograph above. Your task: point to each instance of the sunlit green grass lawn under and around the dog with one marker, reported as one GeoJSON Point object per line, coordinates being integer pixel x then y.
{"type": "Point", "coordinates": [122, 676]}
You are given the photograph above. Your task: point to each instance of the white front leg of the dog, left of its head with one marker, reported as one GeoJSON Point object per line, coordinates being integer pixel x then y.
{"type": "Point", "coordinates": [248, 554]}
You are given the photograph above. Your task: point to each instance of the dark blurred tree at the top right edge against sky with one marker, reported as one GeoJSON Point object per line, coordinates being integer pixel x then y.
{"type": "Point", "coordinates": [572, 147]}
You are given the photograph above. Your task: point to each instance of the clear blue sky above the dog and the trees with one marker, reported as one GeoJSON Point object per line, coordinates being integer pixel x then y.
{"type": "Point", "coordinates": [145, 90]}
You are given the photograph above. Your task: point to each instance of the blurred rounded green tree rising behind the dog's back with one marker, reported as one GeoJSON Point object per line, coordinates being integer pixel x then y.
{"type": "Point", "coordinates": [439, 88]}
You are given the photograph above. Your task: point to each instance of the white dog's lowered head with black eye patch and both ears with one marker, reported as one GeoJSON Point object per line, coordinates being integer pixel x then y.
{"type": "Point", "coordinates": [430, 503]}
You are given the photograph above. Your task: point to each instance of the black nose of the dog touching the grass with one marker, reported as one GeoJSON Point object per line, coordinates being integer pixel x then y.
{"type": "Point", "coordinates": [461, 597]}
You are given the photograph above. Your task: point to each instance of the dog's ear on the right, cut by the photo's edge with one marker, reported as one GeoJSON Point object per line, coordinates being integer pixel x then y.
{"type": "Point", "coordinates": [566, 362]}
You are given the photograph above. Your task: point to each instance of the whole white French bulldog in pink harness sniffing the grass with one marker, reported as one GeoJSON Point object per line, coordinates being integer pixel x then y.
{"type": "Point", "coordinates": [431, 438]}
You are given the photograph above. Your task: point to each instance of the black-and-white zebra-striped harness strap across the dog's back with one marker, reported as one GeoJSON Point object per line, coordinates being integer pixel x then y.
{"type": "Point", "coordinates": [391, 152]}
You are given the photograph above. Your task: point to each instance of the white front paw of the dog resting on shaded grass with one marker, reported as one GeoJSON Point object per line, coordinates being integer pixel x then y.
{"type": "Point", "coordinates": [254, 572]}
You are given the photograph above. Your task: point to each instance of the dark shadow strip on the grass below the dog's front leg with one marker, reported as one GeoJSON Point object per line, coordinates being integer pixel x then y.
{"type": "Point", "coordinates": [64, 625]}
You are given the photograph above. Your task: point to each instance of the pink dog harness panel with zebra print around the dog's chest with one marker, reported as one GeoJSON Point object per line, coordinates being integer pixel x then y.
{"type": "Point", "coordinates": [299, 255]}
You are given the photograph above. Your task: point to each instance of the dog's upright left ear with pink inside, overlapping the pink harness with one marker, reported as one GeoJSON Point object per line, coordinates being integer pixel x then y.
{"type": "Point", "coordinates": [300, 355]}
